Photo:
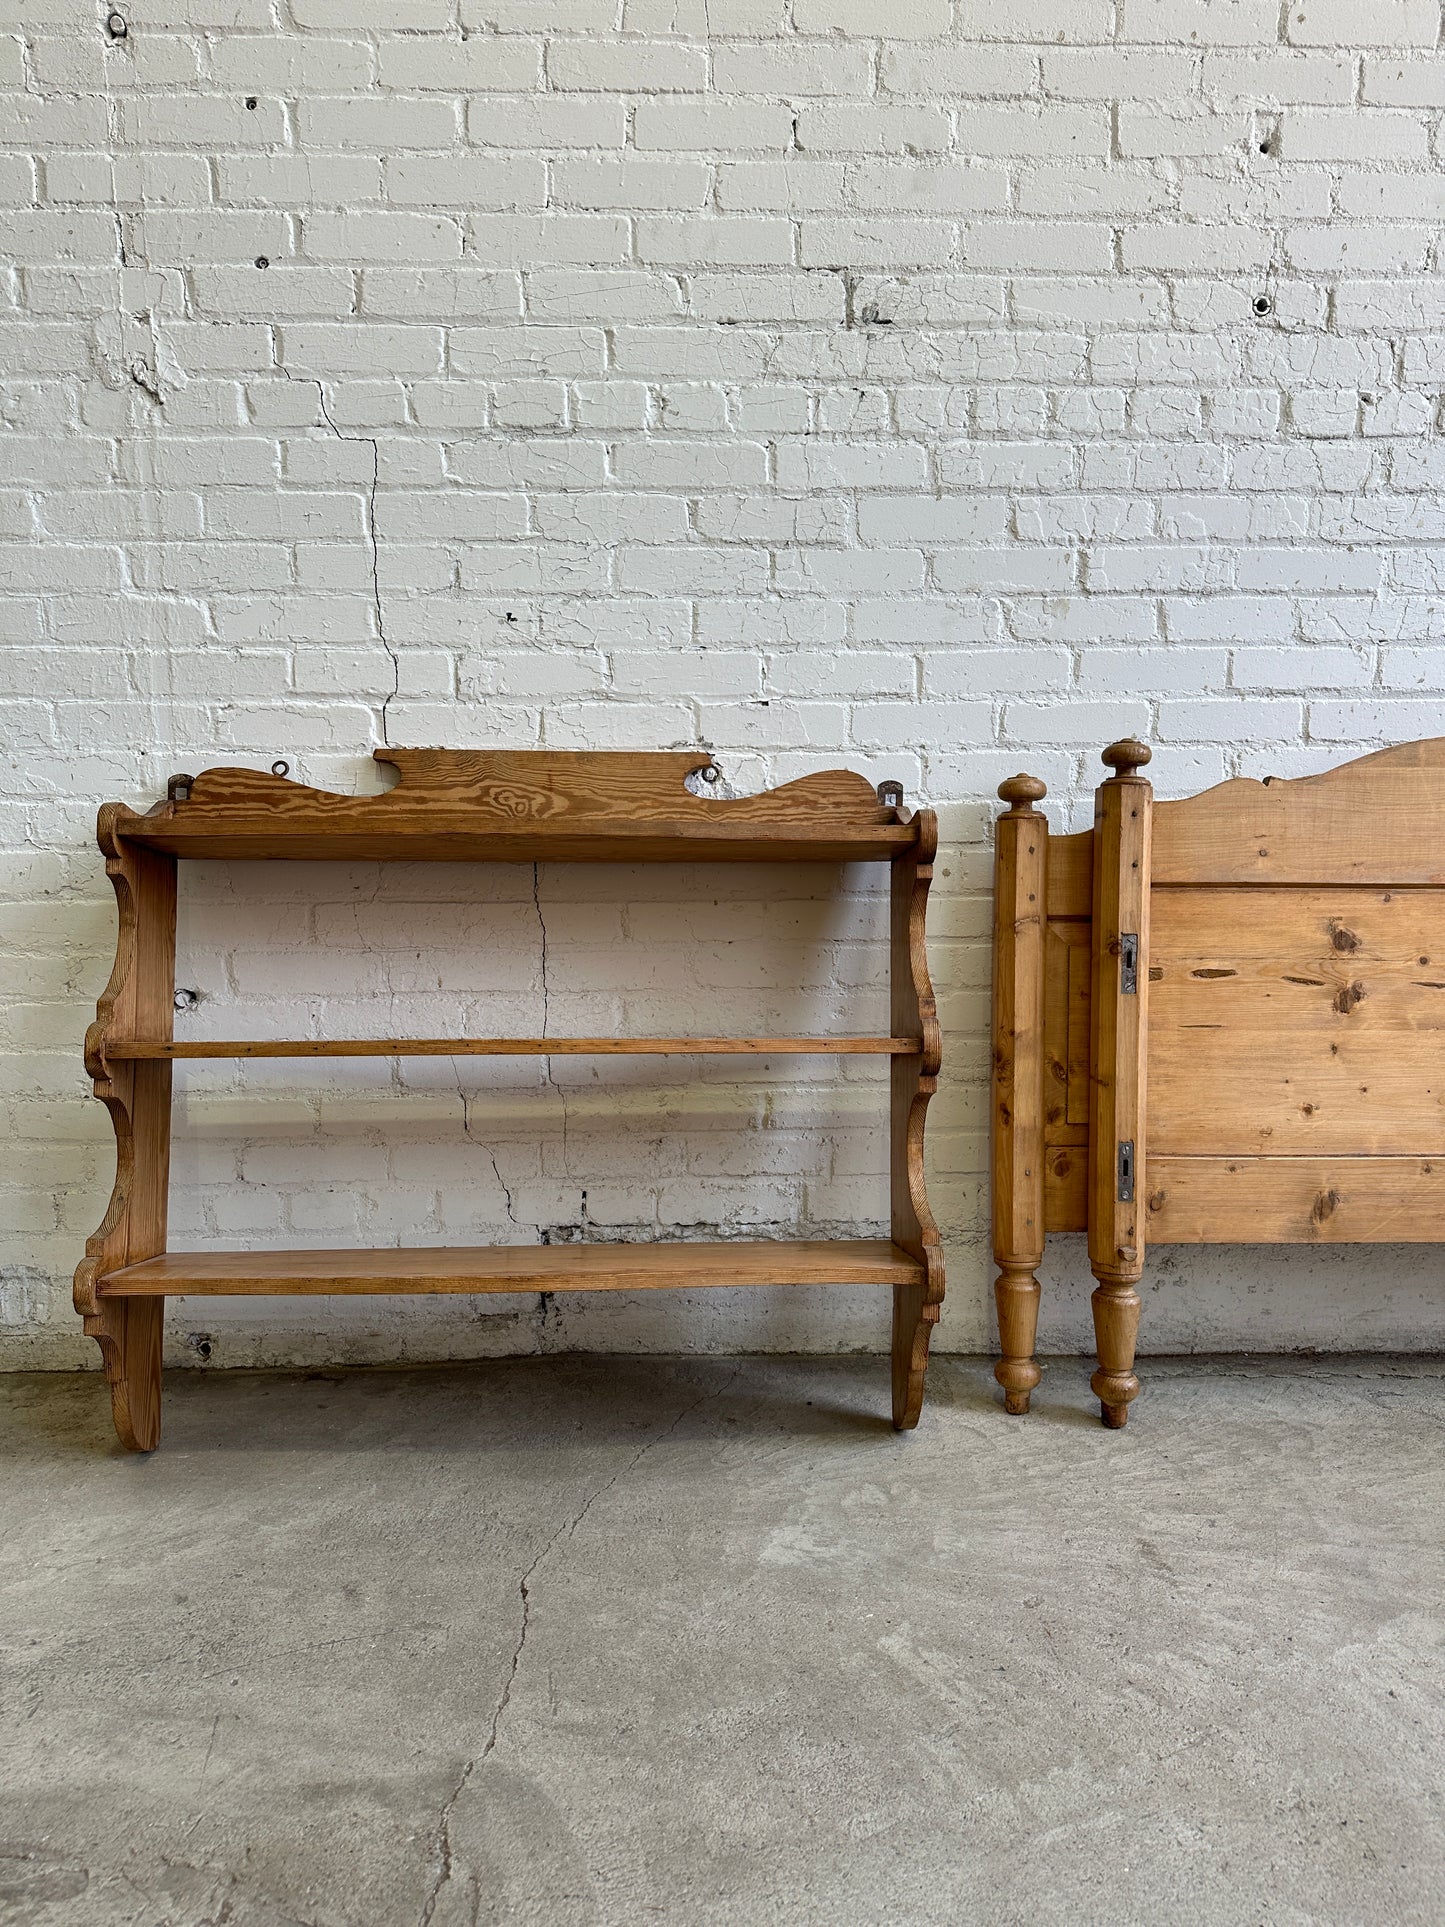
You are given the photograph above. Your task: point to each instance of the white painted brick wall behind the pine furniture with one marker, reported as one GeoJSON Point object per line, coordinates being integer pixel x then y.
{"type": "Point", "coordinates": [814, 381]}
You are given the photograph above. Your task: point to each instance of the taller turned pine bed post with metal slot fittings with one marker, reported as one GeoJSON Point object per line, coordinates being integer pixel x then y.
{"type": "Point", "coordinates": [1118, 1065]}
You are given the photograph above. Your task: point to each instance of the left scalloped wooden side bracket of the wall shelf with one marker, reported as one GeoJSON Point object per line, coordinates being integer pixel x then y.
{"type": "Point", "coordinates": [136, 1003]}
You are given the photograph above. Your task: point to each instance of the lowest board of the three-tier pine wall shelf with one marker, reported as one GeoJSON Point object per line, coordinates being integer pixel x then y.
{"type": "Point", "coordinates": [868, 1261]}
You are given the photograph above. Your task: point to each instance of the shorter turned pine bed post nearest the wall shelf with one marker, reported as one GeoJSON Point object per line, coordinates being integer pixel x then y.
{"type": "Point", "coordinates": [1018, 1095]}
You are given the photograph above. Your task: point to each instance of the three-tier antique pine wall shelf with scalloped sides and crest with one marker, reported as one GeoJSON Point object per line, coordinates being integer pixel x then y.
{"type": "Point", "coordinates": [519, 808]}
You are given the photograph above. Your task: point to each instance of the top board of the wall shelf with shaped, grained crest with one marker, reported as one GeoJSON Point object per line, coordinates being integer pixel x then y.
{"type": "Point", "coordinates": [523, 806]}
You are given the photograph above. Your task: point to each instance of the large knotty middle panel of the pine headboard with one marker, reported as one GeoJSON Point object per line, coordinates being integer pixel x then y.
{"type": "Point", "coordinates": [1298, 1022]}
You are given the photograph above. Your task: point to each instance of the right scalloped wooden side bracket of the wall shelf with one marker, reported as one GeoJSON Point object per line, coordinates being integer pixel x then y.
{"type": "Point", "coordinates": [914, 1082]}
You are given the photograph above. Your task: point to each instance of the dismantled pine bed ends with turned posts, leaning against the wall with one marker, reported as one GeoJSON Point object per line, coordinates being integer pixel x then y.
{"type": "Point", "coordinates": [1217, 1020]}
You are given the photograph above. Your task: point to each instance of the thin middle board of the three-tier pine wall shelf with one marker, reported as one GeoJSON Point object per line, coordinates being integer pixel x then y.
{"type": "Point", "coordinates": [519, 1047]}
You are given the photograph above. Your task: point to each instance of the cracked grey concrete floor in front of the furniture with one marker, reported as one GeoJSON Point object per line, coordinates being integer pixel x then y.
{"type": "Point", "coordinates": [702, 1643]}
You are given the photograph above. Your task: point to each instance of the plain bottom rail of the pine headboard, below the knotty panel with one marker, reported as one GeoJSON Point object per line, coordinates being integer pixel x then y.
{"type": "Point", "coordinates": [1296, 1201]}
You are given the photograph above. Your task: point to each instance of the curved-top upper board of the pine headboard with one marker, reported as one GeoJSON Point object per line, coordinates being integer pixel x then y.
{"type": "Point", "coordinates": [1379, 820]}
